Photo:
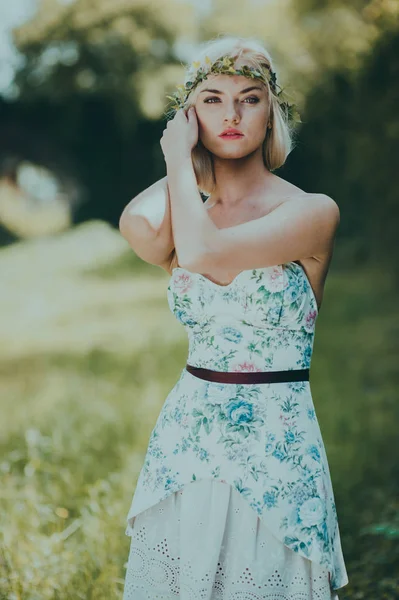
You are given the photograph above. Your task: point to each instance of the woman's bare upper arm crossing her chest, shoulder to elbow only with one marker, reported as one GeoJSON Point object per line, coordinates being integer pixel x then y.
{"type": "Point", "coordinates": [297, 229]}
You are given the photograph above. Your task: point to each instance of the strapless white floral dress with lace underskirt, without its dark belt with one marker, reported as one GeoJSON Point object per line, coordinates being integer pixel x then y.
{"type": "Point", "coordinates": [234, 500]}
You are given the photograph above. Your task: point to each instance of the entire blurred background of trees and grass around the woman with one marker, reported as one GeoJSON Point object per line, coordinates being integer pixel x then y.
{"type": "Point", "coordinates": [89, 348]}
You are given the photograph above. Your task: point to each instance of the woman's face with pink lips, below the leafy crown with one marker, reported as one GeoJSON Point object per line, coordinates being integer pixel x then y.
{"type": "Point", "coordinates": [229, 105]}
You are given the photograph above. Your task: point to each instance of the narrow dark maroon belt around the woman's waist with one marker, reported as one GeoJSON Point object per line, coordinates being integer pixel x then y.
{"type": "Point", "coordinates": [252, 377]}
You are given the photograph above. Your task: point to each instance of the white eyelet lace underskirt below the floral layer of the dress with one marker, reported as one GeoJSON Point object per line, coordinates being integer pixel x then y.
{"type": "Point", "coordinates": [206, 543]}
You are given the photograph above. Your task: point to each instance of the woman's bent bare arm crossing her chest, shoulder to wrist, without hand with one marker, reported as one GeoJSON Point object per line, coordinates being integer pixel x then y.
{"type": "Point", "coordinates": [297, 229]}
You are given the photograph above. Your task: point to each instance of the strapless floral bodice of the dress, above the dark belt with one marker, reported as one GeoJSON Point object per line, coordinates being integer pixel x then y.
{"type": "Point", "coordinates": [263, 320]}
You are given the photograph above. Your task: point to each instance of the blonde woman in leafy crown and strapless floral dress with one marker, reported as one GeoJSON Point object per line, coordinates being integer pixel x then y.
{"type": "Point", "coordinates": [234, 499]}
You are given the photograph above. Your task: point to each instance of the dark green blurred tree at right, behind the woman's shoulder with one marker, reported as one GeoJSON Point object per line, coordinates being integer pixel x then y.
{"type": "Point", "coordinates": [348, 148]}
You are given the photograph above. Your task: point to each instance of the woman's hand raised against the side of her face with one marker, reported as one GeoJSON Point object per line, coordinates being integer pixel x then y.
{"type": "Point", "coordinates": [180, 135]}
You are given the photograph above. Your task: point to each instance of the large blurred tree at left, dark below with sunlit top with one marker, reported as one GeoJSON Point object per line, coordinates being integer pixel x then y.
{"type": "Point", "coordinates": [94, 80]}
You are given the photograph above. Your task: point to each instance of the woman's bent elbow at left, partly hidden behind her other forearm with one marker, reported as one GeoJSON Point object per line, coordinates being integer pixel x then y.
{"type": "Point", "coordinates": [146, 225]}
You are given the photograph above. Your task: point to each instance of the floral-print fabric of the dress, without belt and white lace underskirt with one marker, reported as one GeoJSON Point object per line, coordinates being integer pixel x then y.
{"type": "Point", "coordinates": [262, 439]}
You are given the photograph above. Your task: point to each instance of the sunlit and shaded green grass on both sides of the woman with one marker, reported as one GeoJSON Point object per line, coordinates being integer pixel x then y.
{"type": "Point", "coordinates": [89, 352]}
